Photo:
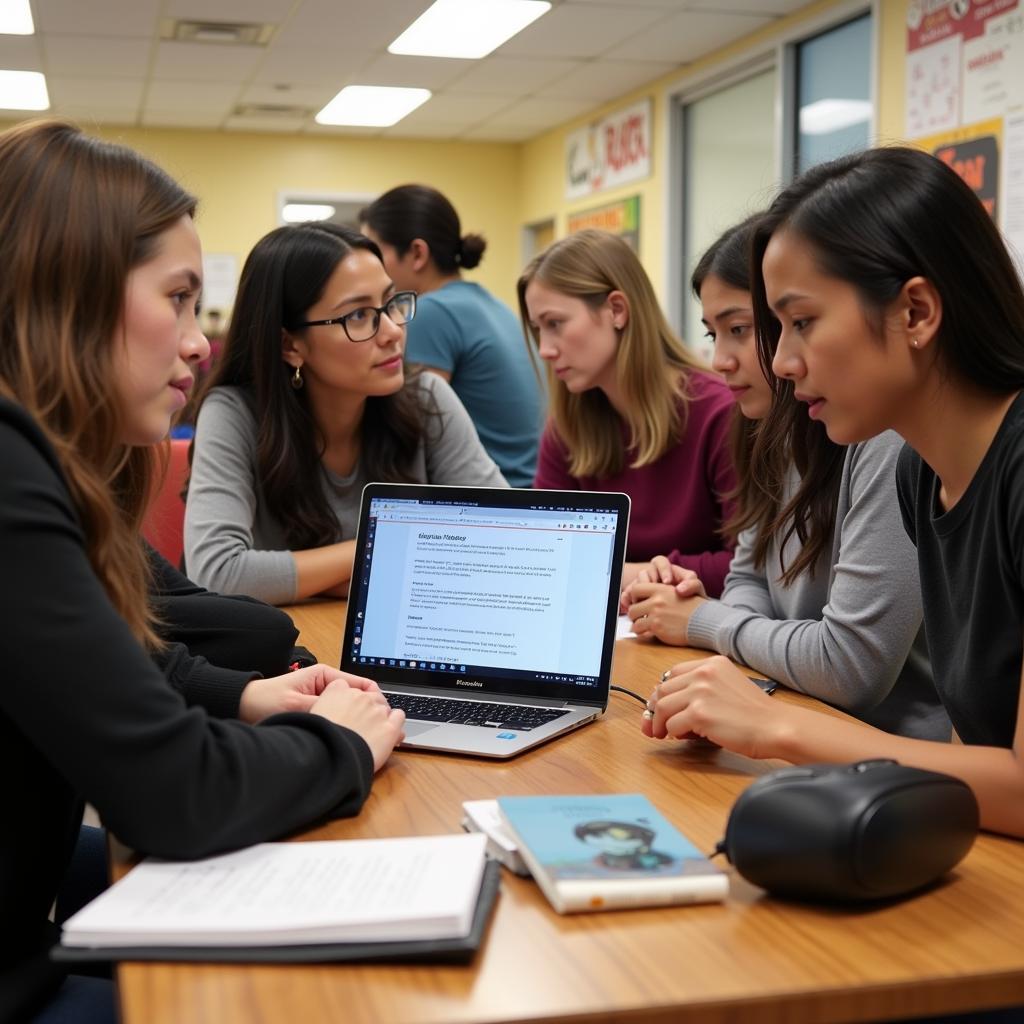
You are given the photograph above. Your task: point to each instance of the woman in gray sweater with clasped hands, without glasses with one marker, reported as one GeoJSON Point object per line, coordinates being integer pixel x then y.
{"type": "Point", "coordinates": [823, 593]}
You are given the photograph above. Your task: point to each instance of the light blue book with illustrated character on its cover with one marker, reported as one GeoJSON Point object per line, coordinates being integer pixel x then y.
{"type": "Point", "coordinates": [604, 852]}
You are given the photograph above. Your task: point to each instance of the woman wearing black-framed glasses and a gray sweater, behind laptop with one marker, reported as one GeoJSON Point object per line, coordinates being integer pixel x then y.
{"type": "Point", "coordinates": [312, 400]}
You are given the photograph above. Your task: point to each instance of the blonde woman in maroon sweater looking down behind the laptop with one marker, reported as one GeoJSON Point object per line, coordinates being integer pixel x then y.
{"type": "Point", "coordinates": [631, 409]}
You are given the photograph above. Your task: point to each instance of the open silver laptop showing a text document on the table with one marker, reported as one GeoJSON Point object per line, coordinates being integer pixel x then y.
{"type": "Point", "coordinates": [488, 615]}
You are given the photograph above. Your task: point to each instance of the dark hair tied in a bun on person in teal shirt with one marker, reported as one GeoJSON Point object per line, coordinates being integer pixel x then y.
{"type": "Point", "coordinates": [410, 212]}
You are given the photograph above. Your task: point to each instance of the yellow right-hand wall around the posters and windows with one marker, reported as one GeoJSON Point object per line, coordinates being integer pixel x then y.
{"type": "Point", "coordinates": [544, 158]}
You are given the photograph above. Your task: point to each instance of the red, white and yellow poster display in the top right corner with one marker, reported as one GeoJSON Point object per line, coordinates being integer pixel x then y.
{"type": "Point", "coordinates": [965, 99]}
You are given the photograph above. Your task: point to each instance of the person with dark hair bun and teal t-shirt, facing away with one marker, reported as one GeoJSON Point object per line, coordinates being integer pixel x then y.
{"type": "Point", "coordinates": [461, 332]}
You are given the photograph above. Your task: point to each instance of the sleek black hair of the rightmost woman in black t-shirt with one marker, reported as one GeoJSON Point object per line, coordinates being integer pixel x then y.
{"type": "Point", "coordinates": [879, 219]}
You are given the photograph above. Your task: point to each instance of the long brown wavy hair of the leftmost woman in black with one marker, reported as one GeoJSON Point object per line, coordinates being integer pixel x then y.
{"type": "Point", "coordinates": [77, 216]}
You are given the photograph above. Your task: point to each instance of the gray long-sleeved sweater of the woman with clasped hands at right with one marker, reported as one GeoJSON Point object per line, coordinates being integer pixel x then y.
{"type": "Point", "coordinates": [851, 634]}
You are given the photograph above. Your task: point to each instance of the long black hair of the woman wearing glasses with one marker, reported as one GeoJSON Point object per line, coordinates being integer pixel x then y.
{"type": "Point", "coordinates": [283, 278]}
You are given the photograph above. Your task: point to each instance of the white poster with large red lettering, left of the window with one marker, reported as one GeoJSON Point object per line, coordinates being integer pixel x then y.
{"type": "Point", "coordinates": [610, 153]}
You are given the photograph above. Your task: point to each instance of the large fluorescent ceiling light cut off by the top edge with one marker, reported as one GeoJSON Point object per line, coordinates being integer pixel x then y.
{"type": "Point", "coordinates": [468, 29]}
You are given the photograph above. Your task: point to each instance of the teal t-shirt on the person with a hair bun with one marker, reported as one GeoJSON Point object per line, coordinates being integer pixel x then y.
{"type": "Point", "coordinates": [465, 331]}
